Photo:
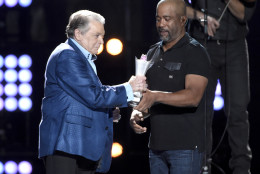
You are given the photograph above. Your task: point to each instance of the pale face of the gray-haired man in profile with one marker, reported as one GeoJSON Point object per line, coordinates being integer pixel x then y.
{"type": "Point", "coordinates": [93, 38]}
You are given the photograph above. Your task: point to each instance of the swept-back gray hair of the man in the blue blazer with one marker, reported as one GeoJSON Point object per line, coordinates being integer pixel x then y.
{"type": "Point", "coordinates": [80, 20]}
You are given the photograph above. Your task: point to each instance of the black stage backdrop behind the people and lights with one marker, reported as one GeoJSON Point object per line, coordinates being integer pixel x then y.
{"type": "Point", "coordinates": [38, 29]}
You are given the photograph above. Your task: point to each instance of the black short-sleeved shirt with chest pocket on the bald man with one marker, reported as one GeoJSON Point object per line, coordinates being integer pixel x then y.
{"type": "Point", "coordinates": [176, 128]}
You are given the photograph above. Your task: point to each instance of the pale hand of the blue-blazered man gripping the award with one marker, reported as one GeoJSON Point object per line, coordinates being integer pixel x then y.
{"type": "Point", "coordinates": [138, 83]}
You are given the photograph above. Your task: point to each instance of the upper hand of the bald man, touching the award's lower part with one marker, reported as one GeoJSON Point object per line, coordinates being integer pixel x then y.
{"type": "Point", "coordinates": [148, 99]}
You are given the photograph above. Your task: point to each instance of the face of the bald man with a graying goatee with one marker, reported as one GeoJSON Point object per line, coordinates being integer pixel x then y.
{"type": "Point", "coordinates": [168, 24]}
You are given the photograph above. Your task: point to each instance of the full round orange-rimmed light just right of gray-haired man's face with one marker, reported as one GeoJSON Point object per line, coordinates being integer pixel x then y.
{"type": "Point", "coordinates": [114, 46]}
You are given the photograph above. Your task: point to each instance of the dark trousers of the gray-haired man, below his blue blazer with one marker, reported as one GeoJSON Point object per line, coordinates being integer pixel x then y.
{"type": "Point", "coordinates": [63, 163]}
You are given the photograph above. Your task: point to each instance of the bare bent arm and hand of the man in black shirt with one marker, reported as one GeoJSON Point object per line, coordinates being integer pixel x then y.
{"type": "Point", "coordinates": [195, 86]}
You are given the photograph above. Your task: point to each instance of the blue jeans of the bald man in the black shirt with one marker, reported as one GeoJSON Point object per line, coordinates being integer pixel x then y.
{"type": "Point", "coordinates": [175, 161]}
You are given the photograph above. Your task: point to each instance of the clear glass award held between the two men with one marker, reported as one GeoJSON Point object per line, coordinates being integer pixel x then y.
{"type": "Point", "coordinates": [141, 66]}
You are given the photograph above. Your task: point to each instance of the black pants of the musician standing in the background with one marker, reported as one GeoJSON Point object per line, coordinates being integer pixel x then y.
{"type": "Point", "coordinates": [230, 65]}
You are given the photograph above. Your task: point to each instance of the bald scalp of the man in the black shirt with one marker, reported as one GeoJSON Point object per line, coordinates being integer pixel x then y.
{"type": "Point", "coordinates": [179, 6]}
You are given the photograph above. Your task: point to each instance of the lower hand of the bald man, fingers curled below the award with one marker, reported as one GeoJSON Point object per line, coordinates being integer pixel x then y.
{"type": "Point", "coordinates": [136, 117]}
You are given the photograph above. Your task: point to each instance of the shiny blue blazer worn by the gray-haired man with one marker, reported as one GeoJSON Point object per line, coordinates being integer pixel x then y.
{"type": "Point", "coordinates": [76, 118]}
